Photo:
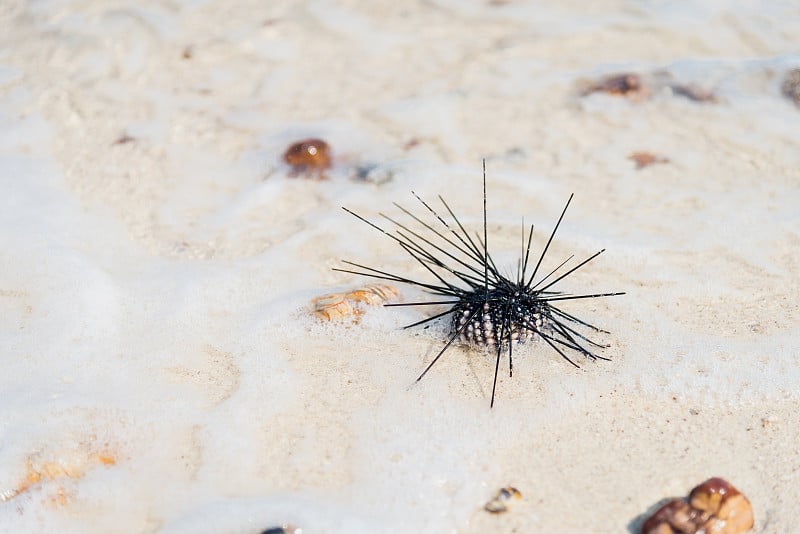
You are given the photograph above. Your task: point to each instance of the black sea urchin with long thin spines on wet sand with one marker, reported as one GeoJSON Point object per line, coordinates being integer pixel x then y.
{"type": "Point", "coordinates": [492, 311]}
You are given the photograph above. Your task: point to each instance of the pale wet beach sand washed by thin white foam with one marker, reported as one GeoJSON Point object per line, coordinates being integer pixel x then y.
{"type": "Point", "coordinates": [161, 372]}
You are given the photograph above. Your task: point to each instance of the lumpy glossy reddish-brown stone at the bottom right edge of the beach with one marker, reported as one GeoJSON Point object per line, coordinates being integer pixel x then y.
{"type": "Point", "coordinates": [713, 507]}
